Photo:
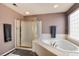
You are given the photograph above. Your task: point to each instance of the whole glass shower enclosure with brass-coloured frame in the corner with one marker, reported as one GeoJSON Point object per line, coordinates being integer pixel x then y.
{"type": "Point", "coordinates": [26, 32]}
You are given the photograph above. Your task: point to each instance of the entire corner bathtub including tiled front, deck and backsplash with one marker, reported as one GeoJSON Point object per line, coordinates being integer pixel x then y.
{"type": "Point", "coordinates": [58, 46]}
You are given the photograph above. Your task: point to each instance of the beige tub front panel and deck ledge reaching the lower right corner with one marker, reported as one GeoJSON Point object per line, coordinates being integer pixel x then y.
{"type": "Point", "coordinates": [43, 49]}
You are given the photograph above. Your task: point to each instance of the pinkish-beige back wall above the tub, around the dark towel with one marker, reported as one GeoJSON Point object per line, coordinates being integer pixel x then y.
{"type": "Point", "coordinates": [50, 19]}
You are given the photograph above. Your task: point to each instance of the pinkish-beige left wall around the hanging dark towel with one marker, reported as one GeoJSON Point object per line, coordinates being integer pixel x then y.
{"type": "Point", "coordinates": [7, 16]}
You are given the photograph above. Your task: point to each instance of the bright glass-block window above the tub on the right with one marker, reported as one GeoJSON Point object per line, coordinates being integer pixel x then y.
{"type": "Point", "coordinates": [74, 25]}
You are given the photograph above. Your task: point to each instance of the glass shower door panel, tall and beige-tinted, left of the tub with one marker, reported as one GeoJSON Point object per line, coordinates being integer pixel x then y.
{"type": "Point", "coordinates": [26, 33]}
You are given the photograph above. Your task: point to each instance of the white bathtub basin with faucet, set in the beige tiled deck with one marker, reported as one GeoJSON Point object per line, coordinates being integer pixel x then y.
{"type": "Point", "coordinates": [65, 46]}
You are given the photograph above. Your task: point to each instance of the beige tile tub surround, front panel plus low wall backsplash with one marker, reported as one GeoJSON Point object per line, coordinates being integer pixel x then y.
{"type": "Point", "coordinates": [44, 50]}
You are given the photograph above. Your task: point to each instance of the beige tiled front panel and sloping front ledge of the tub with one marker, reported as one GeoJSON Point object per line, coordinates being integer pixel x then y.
{"type": "Point", "coordinates": [44, 50]}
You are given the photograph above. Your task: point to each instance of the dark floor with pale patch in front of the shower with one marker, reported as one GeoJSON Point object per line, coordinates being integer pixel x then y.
{"type": "Point", "coordinates": [20, 52]}
